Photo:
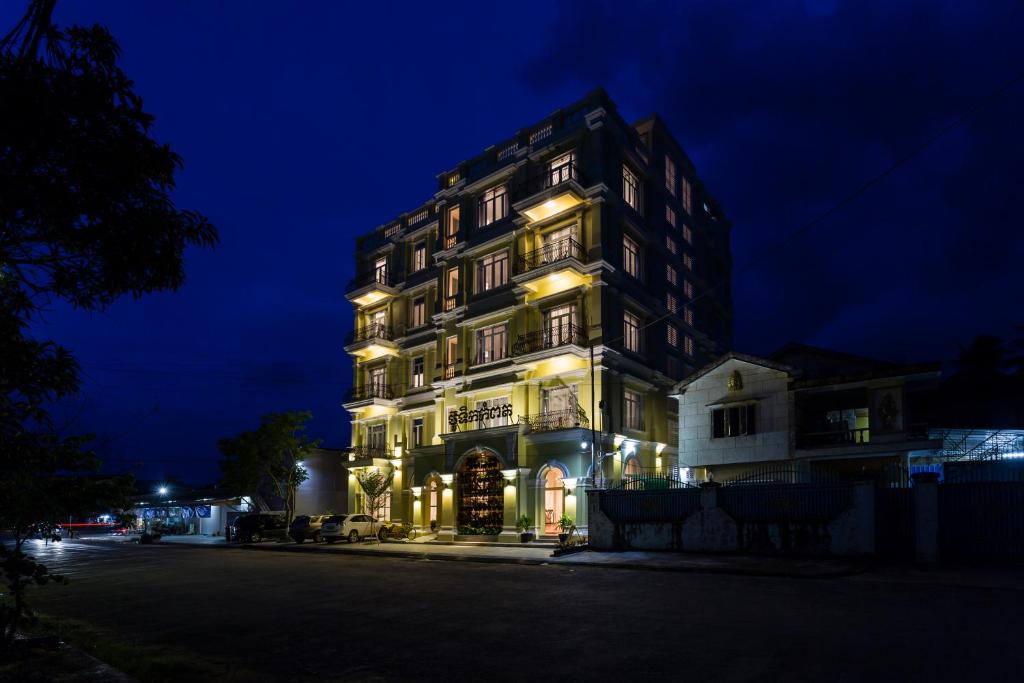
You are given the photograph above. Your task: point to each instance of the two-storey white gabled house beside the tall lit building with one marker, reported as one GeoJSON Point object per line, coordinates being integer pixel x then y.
{"type": "Point", "coordinates": [802, 409]}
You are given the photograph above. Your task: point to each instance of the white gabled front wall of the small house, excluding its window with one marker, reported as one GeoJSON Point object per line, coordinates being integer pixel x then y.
{"type": "Point", "coordinates": [763, 387]}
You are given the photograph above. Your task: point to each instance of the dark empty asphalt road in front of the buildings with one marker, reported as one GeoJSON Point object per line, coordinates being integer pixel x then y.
{"type": "Point", "coordinates": [315, 616]}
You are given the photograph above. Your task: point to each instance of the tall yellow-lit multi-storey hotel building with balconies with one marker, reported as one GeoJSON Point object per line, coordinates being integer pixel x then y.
{"type": "Point", "coordinates": [516, 336]}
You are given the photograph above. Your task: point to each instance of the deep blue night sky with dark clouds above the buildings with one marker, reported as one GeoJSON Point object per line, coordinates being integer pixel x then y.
{"type": "Point", "coordinates": [304, 125]}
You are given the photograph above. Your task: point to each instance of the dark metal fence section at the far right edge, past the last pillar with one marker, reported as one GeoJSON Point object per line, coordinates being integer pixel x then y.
{"type": "Point", "coordinates": [982, 522]}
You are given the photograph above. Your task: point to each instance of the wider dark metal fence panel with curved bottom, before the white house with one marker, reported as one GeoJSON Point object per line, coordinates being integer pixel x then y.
{"type": "Point", "coordinates": [786, 503]}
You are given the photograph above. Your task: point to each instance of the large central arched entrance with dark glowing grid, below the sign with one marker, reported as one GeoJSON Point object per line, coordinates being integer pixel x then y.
{"type": "Point", "coordinates": [481, 495]}
